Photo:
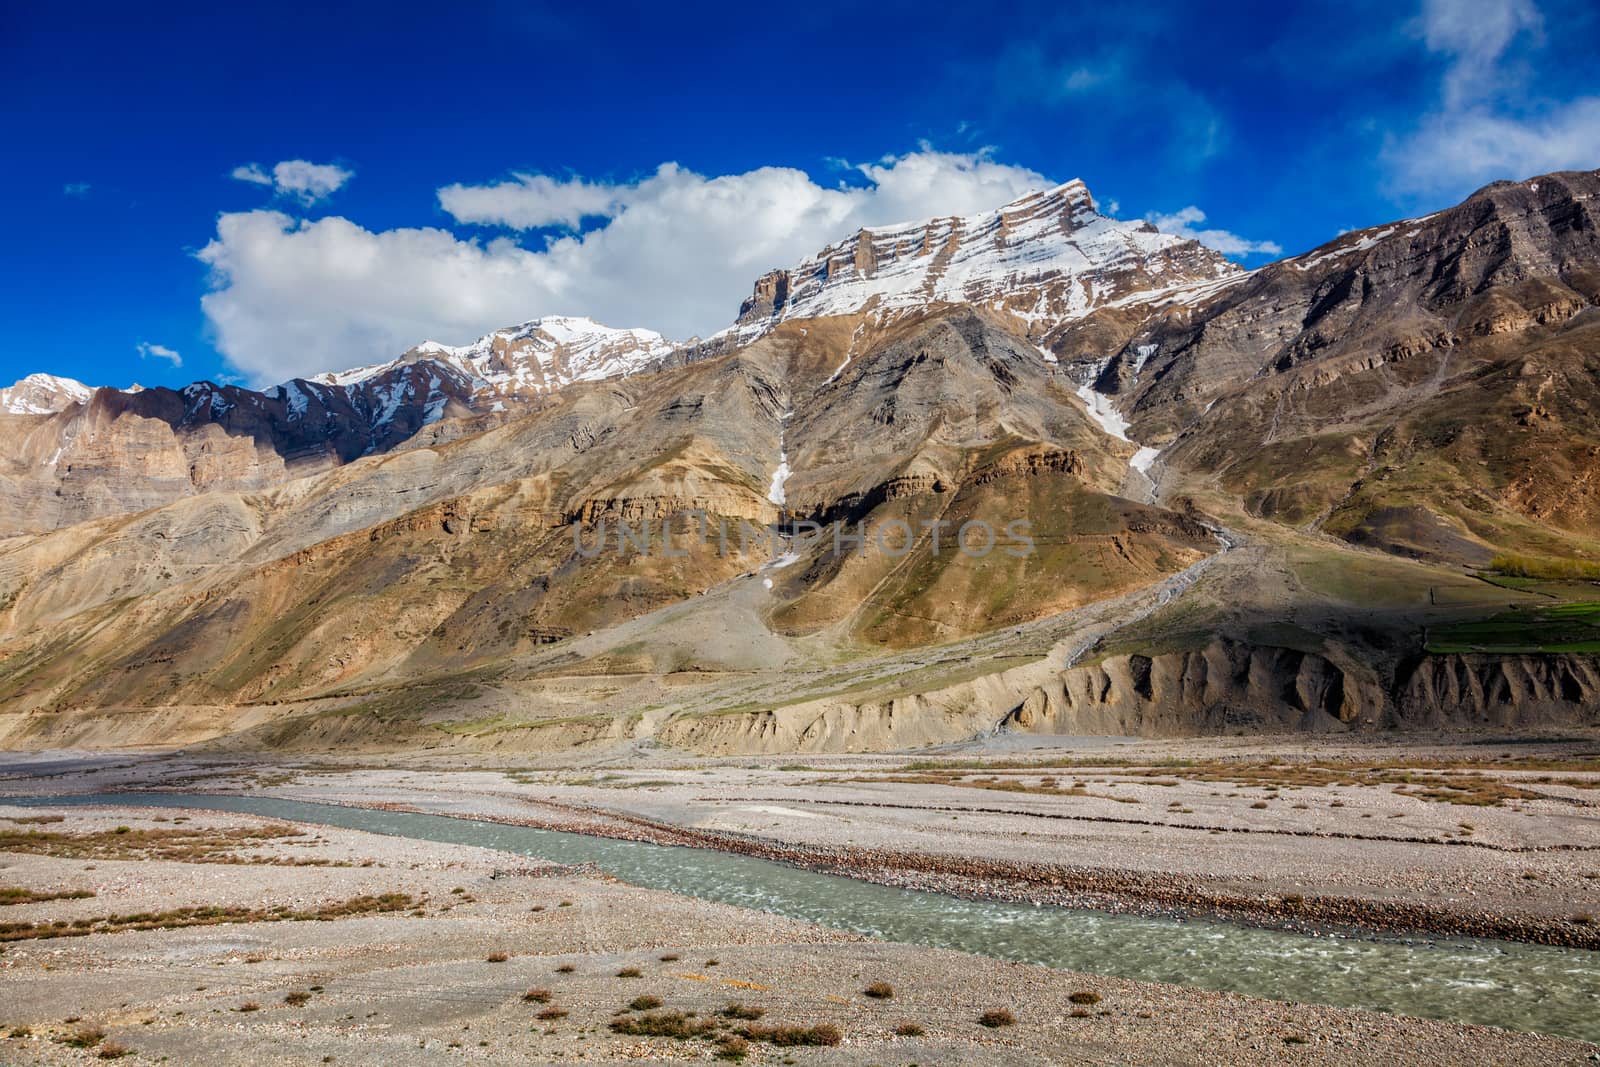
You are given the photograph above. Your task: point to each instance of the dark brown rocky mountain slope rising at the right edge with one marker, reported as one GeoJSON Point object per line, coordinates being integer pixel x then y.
{"type": "Point", "coordinates": [1428, 388]}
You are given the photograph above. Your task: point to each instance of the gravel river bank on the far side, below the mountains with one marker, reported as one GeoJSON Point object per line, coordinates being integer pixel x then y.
{"type": "Point", "coordinates": [1492, 837]}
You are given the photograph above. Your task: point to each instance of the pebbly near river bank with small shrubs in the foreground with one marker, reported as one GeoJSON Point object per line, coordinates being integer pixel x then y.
{"type": "Point", "coordinates": [423, 981]}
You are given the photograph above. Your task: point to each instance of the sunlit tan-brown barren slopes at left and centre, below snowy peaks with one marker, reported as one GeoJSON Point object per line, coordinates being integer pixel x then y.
{"type": "Point", "coordinates": [487, 548]}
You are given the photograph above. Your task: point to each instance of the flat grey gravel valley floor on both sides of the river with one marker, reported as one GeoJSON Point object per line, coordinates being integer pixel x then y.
{"type": "Point", "coordinates": [190, 951]}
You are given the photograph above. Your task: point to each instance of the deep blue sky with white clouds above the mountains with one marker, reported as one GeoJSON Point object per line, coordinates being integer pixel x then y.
{"type": "Point", "coordinates": [262, 191]}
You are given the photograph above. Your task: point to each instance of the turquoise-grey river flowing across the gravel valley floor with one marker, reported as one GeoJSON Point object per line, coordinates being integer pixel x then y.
{"type": "Point", "coordinates": [1524, 988]}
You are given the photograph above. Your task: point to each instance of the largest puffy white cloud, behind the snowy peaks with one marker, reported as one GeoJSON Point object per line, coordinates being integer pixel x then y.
{"type": "Point", "coordinates": [678, 254]}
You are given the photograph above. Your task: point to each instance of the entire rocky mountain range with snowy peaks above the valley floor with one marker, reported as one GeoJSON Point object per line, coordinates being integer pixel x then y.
{"type": "Point", "coordinates": [1252, 497]}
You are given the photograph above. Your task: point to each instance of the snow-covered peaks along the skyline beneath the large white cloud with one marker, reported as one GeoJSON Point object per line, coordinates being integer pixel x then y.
{"type": "Point", "coordinates": [1047, 258]}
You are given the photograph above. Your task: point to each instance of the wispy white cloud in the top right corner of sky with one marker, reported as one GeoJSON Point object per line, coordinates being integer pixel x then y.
{"type": "Point", "coordinates": [1489, 126]}
